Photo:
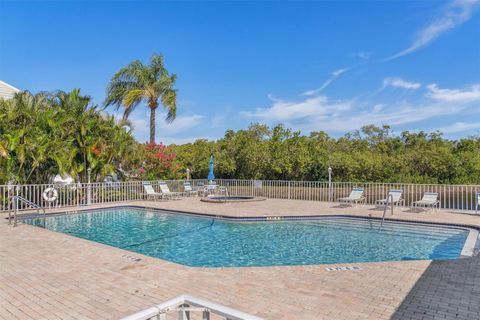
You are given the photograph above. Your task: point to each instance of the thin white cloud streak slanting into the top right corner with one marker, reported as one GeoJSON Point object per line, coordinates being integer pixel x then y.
{"type": "Point", "coordinates": [453, 15]}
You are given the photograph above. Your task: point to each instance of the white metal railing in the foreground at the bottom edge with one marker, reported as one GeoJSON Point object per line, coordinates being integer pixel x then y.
{"type": "Point", "coordinates": [184, 304]}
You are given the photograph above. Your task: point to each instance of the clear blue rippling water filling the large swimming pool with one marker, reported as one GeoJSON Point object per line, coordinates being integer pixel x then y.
{"type": "Point", "coordinates": [206, 242]}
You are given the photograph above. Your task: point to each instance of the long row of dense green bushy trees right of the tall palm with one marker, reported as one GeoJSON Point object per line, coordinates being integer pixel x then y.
{"type": "Point", "coordinates": [371, 154]}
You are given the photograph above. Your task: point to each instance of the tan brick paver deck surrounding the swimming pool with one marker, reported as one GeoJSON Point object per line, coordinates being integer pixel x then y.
{"type": "Point", "coordinates": [49, 275]}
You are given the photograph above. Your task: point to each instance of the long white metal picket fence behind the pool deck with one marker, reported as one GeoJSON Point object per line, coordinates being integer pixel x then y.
{"type": "Point", "coordinates": [454, 197]}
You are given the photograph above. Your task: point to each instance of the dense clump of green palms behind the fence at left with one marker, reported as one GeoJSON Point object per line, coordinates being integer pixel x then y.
{"type": "Point", "coordinates": [46, 134]}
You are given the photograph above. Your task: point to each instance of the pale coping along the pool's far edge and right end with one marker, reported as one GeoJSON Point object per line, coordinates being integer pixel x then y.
{"type": "Point", "coordinates": [470, 248]}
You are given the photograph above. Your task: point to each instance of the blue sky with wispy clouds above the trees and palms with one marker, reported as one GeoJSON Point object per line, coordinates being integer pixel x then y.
{"type": "Point", "coordinates": [318, 65]}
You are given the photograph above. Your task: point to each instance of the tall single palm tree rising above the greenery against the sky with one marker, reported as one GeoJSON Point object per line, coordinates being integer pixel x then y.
{"type": "Point", "coordinates": [138, 83]}
